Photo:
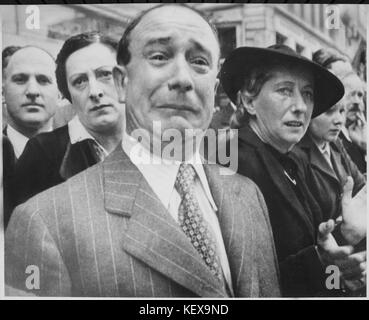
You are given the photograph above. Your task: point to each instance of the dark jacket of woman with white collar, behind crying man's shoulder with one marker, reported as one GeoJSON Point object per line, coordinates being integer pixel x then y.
{"type": "Point", "coordinates": [49, 159]}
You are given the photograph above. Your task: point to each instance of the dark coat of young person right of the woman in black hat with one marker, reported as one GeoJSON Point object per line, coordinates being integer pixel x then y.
{"type": "Point", "coordinates": [327, 183]}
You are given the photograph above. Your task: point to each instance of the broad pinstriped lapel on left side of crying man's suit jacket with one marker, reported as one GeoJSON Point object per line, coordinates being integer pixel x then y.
{"type": "Point", "coordinates": [152, 235]}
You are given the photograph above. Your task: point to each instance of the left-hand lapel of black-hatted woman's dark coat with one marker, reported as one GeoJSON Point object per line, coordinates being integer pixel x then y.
{"type": "Point", "coordinates": [248, 136]}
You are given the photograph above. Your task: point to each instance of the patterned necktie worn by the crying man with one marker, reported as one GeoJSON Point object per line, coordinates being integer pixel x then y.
{"type": "Point", "coordinates": [192, 221]}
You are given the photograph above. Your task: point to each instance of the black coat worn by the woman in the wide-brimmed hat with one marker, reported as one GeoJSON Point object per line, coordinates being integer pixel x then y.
{"type": "Point", "coordinates": [294, 225]}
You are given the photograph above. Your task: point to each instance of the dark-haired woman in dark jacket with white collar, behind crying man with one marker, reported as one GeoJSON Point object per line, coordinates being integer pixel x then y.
{"type": "Point", "coordinates": [84, 77]}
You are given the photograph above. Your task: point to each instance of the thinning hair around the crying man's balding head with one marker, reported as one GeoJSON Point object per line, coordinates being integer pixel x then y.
{"type": "Point", "coordinates": [123, 54]}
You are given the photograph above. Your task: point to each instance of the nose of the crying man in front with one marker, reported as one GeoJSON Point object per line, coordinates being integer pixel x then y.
{"type": "Point", "coordinates": [182, 78]}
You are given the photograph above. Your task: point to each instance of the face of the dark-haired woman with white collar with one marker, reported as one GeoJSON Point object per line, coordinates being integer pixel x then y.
{"type": "Point", "coordinates": [91, 86]}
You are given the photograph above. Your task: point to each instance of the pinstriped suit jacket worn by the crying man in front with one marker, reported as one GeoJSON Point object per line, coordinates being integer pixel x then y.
{"type": "Point", "coordinates": [104, 232]}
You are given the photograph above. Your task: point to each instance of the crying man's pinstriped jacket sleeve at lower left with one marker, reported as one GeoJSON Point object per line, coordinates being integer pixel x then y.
{"type": "Point", "coordinates": [33, 263]}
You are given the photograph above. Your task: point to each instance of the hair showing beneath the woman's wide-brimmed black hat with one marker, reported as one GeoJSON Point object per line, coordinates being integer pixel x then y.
{"type": "Point", "coordinates": [252, 83]}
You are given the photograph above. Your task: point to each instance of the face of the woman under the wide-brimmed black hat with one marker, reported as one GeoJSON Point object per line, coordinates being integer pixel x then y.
{"type": "Point", "coordinates": [282, 110]}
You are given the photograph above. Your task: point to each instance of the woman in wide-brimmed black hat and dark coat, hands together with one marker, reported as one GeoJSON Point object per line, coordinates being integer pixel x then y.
{"type": "Point", "coordinates": [277, 92]}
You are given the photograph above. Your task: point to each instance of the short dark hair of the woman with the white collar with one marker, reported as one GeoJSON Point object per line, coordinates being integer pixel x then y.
{"type": "Point", "coordinates": [72, 45]}
